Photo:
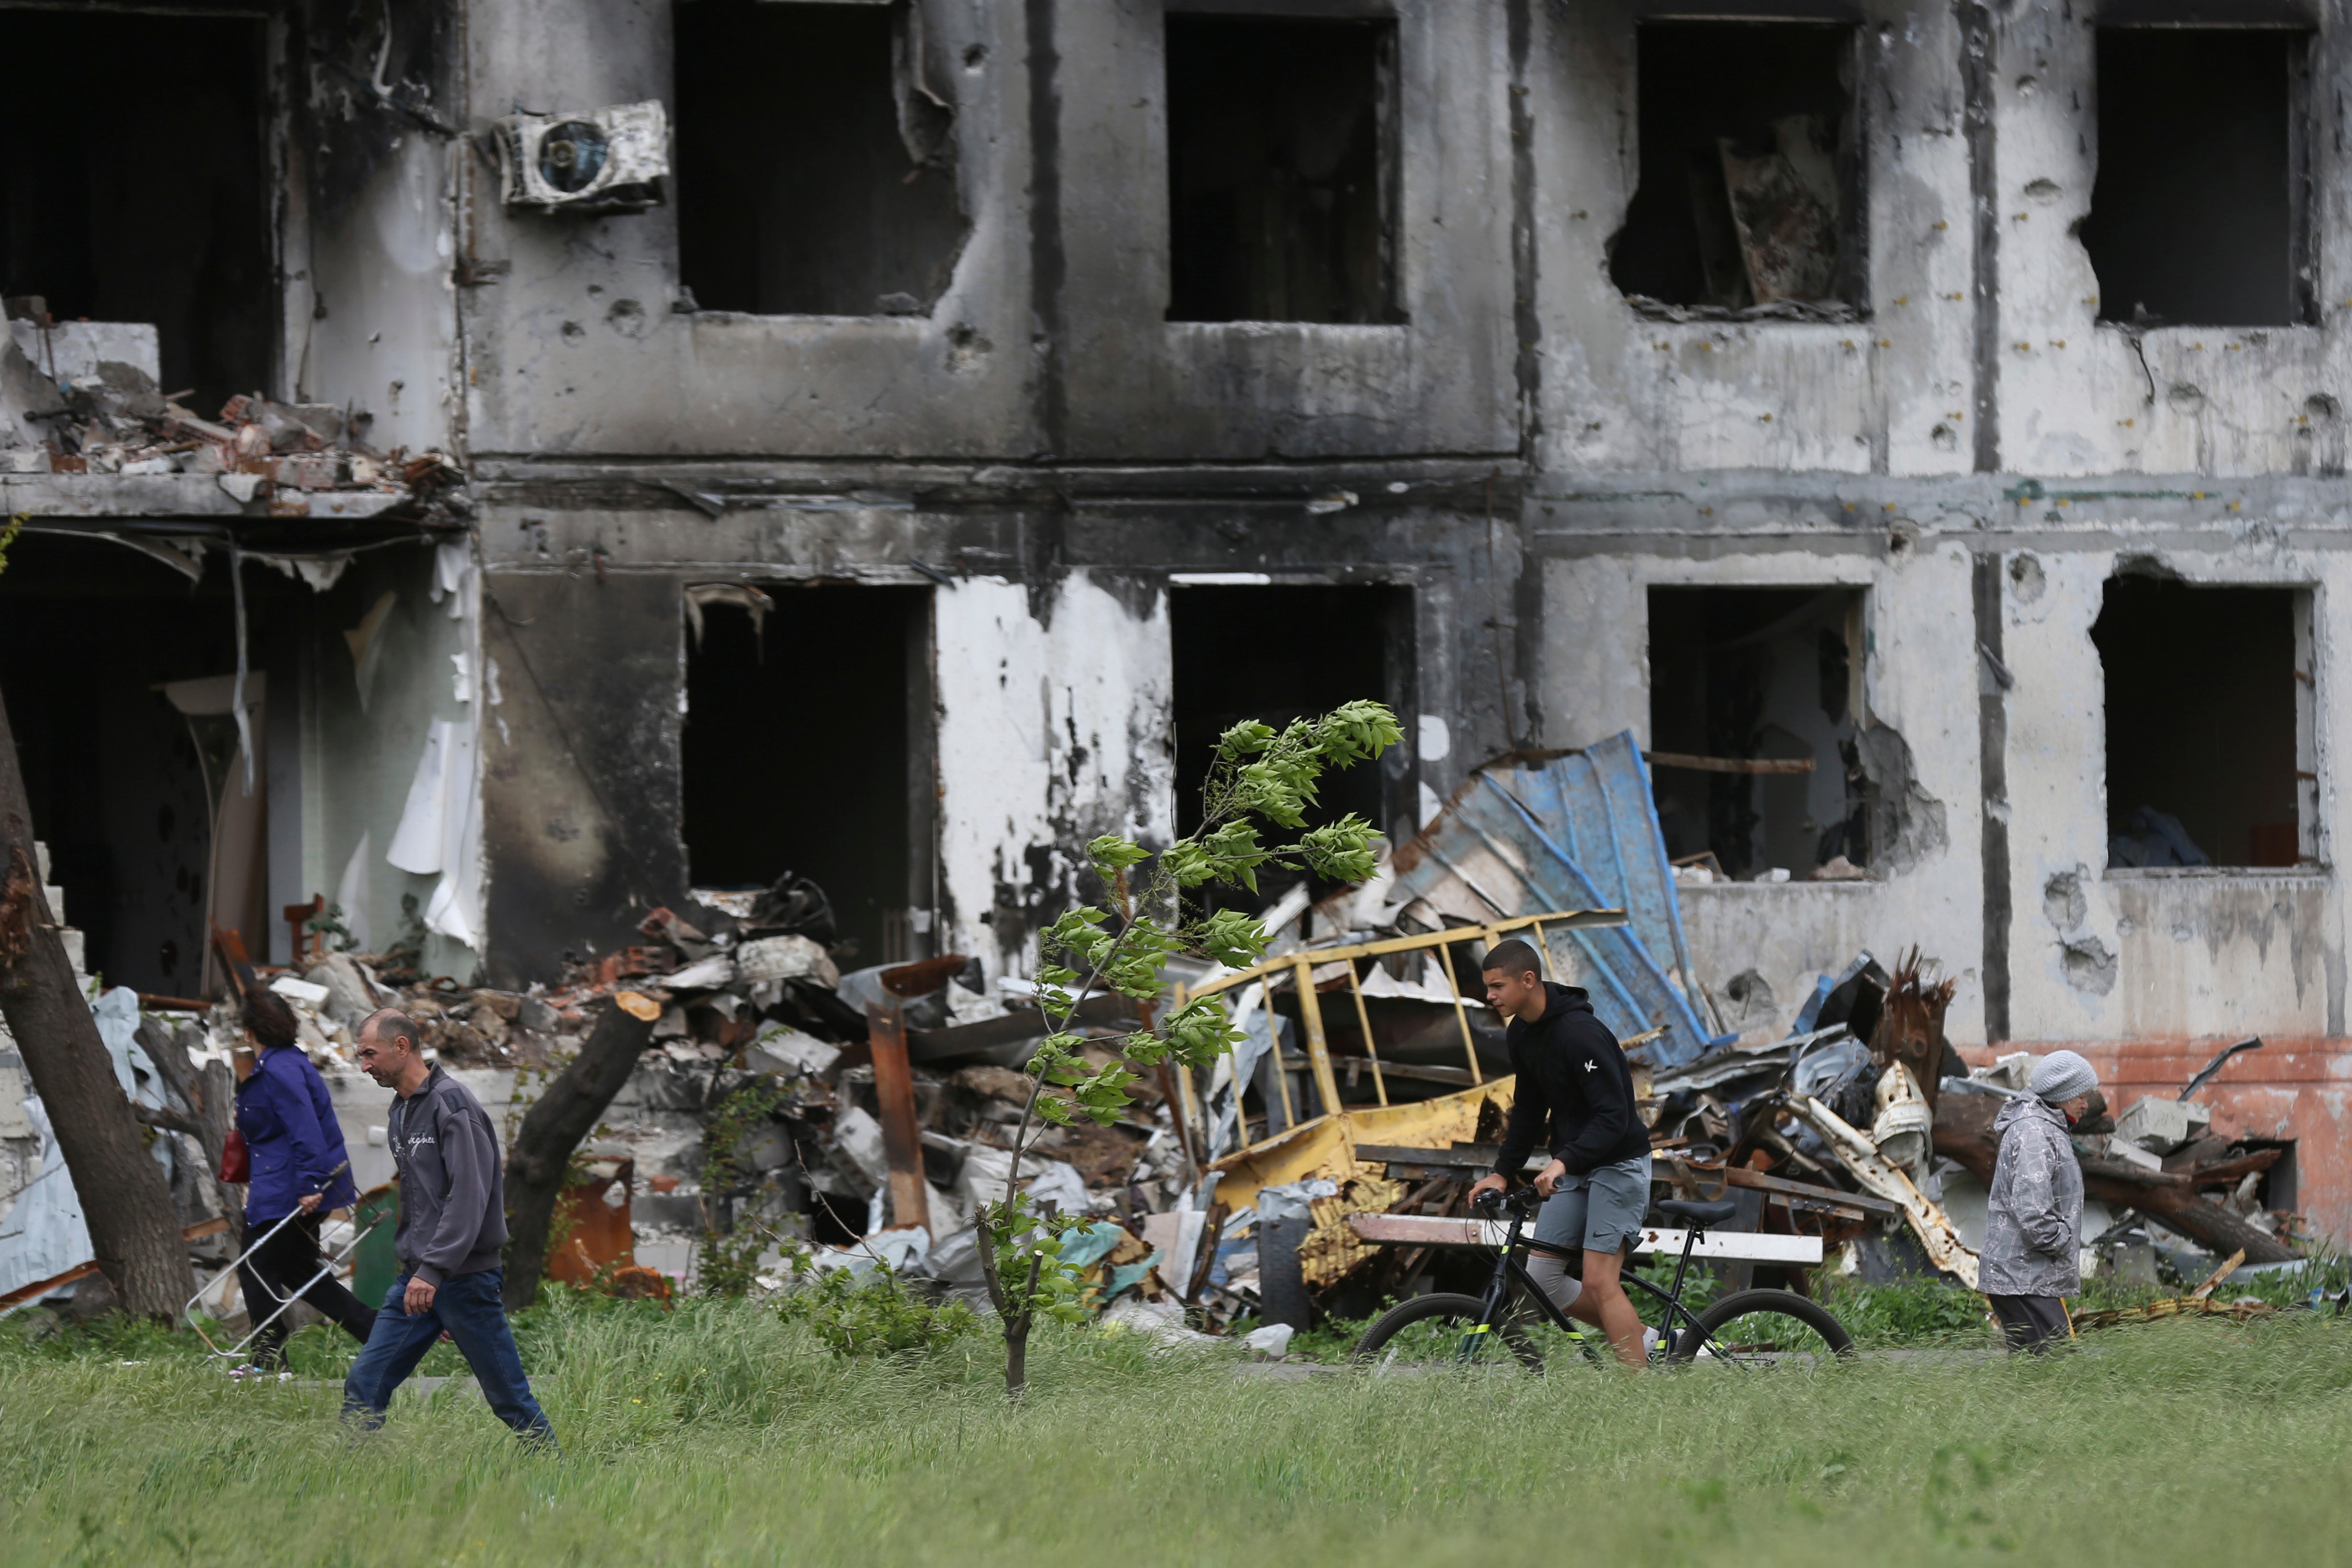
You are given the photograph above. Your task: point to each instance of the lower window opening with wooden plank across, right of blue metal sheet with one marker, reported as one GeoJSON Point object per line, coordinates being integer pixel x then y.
{"type": "Point", "coordinates": [1758, 676]}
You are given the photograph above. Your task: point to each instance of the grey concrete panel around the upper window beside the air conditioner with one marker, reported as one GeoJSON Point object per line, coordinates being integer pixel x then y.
{"type": "Point", "coordinates": [580, 347]}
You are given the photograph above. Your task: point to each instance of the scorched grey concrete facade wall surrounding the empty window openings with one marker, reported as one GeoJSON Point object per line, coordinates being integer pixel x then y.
{"type": "Point", "coordinates": [1523, 450]}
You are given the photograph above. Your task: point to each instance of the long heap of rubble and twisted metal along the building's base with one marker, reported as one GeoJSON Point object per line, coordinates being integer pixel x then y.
{"type": "Point", "coordinates": [759, 1120]}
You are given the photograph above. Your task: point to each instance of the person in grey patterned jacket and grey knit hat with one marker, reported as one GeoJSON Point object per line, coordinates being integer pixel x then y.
{"type": "Point", "coordinates": [2033, 1219]}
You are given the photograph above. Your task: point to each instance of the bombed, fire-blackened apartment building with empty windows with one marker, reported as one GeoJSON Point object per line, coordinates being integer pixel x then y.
{"type": "Point", "coordinates": [490, 471]}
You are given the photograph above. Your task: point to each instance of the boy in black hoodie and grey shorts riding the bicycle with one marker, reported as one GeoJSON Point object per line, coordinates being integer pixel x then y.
{"type": "Point", "coordinates": [1575, 1087]}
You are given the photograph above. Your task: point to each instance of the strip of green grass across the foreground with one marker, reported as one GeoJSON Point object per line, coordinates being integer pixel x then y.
{"type": "Point", "coordinates": [721, 1435]}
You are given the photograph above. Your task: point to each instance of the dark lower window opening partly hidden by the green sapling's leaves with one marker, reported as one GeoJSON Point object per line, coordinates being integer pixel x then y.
{"type": "Point", "coordinates": [1281, 655]}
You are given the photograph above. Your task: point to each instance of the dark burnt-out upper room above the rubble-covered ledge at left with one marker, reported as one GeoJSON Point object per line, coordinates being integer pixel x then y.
{"type": "Point", "coordinates": [86, 222]}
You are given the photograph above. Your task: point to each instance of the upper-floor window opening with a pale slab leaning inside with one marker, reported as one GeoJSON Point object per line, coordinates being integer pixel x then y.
{"type": "Point", "coordinates": [1751, 168]}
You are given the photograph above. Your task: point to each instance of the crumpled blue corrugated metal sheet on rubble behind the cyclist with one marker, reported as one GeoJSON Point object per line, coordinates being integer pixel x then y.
{"type": "Point", "coordinates": [1504, 845]}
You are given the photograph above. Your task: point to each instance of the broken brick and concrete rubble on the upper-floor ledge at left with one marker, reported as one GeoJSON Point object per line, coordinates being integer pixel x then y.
{"type": "Point", "coordinates": [83, 398]}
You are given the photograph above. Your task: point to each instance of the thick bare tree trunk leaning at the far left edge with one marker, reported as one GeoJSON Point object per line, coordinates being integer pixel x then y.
{"type": "Point", "coordinates": [121, 1188]}
